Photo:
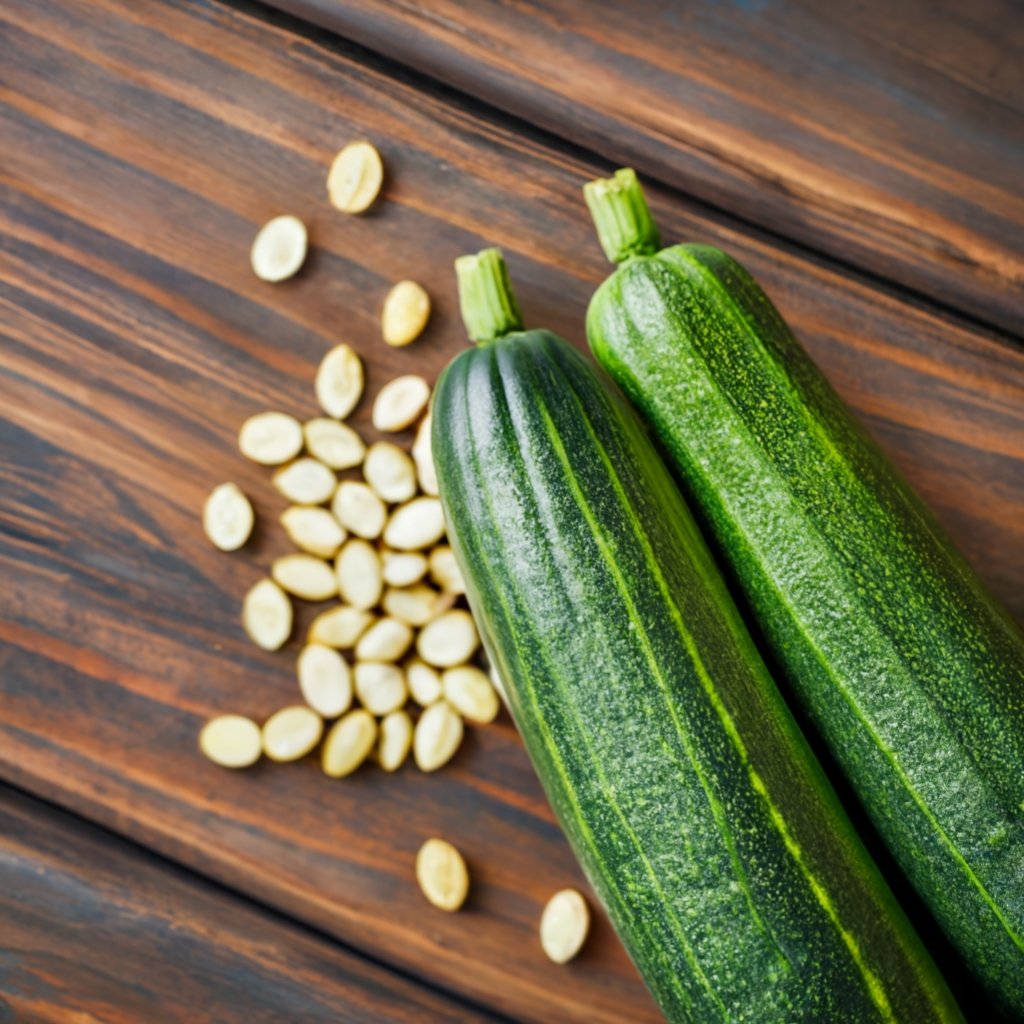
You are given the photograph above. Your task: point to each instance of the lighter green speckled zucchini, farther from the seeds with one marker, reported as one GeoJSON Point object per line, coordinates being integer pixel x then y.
{"type": "Point", "coordinates": [906, 666]}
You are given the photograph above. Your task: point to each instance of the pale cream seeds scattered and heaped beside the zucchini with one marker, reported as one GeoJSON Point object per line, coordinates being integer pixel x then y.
{"type": "Point", "coordinates": [377, 549]}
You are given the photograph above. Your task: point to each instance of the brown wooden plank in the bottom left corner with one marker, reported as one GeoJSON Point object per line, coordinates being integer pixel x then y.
{"type": "Point", "coordinates": [96, 929]}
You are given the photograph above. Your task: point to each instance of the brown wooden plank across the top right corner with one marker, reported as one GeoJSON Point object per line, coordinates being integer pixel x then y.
{"type": "Point", "coordinates": [887, 135]}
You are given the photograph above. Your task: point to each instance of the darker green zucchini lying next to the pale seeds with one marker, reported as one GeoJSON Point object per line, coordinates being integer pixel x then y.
{"type": "Point", "coordinates": [690, 796]}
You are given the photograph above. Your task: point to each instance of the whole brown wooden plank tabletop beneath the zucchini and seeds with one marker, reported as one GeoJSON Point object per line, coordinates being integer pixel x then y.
{"type": "Point", "coordinates": [866, 164]}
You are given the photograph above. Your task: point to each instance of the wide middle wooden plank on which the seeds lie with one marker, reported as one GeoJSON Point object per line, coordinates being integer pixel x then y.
{"type": "Point", "coordinates": [143, 145]}
